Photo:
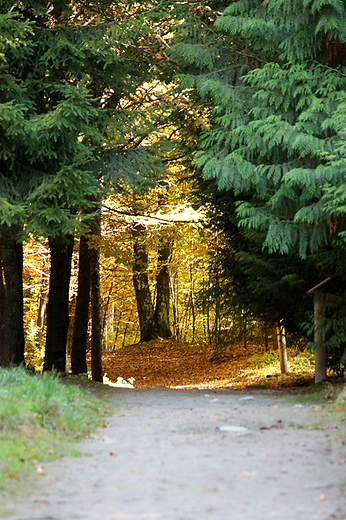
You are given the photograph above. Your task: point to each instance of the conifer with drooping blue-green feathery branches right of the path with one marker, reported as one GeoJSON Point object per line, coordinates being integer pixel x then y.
{"type": "Point", "coordinates": [274, 75]}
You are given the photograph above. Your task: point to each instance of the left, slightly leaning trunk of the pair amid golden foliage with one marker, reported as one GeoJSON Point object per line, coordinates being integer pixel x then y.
{"type": "Point", "coordinates": [141, 286]}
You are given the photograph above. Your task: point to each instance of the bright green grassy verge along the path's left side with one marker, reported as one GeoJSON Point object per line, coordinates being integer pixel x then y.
{"type": "Point", "coordinates": [39, 419]}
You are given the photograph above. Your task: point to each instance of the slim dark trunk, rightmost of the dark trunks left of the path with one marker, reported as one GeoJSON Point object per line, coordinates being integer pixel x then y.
{"type": "Point", "coordinates": [96, 337]}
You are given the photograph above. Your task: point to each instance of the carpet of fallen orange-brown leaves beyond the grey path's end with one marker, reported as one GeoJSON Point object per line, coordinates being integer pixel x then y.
{"type": "Point", "coordinates": [196, 365]}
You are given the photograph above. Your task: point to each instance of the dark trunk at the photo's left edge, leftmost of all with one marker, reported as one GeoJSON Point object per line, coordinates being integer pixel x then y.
{"type": "Point", "coordinates": [12, 332]}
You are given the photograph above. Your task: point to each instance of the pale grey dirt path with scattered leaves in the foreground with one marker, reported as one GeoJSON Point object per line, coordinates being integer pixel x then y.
{"type": "Point", "coordinates": [198, 455]}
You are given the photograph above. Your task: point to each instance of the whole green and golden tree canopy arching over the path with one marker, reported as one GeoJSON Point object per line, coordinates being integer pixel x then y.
{"type": "Point", "coordinates": [248, 98]}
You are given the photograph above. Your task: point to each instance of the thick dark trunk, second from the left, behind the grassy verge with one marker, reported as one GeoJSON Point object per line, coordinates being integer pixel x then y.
{"type": "Point", "coordinates": [57, 309]}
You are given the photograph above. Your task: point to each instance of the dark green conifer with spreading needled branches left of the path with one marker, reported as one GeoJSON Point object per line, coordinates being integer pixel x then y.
{"type": "Point", "coordinates": [64, 122]}
